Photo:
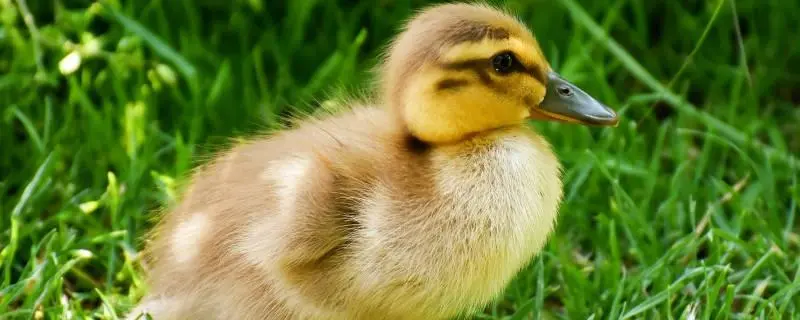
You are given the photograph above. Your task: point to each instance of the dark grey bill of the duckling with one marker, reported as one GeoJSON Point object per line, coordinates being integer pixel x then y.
{"type": "Point", "coordinates": [566, 102]}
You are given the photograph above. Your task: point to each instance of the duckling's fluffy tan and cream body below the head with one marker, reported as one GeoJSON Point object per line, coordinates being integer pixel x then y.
{"type": "Point", "coordinates": [308, 226]}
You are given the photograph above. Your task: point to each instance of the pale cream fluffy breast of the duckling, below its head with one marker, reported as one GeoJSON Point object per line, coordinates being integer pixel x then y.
{"type": "Point", "coordinates": [489, 208]}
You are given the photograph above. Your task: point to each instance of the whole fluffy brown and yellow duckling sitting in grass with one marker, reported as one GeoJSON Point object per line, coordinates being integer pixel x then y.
{"type": "Point", "coordinates": [422, 204]}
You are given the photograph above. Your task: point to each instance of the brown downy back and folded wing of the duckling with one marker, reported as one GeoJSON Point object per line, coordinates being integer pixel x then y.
{"type": "Point", "coordinates": [257, 217]}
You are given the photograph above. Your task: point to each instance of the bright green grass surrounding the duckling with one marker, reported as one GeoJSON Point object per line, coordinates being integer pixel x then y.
{"type": "Point", "coordinates": [687, 210]}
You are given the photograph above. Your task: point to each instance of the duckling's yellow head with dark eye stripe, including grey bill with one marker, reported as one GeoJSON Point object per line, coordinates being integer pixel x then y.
{"type": "Point", "coordinates": [458, 70]}
